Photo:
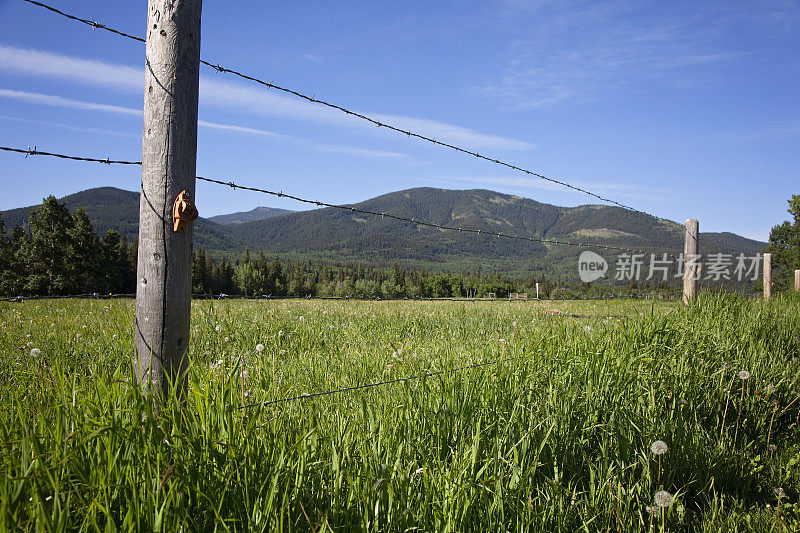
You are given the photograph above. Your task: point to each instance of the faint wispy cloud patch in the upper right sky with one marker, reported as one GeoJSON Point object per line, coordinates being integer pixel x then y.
{"type": "Point", "coordinates": [582, 50]}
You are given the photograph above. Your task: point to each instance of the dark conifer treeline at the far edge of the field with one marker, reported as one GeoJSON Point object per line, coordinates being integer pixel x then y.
{"type": "Point", "coordinates": [60, 254]}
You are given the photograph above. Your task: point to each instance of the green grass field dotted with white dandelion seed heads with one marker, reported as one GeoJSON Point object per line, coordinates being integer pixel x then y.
{"type": "Point", "coordinates": [555, 437]}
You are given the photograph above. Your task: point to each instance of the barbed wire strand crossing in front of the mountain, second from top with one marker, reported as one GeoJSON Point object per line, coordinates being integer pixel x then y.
{"type": "Point", "coordinates": [281, 194]}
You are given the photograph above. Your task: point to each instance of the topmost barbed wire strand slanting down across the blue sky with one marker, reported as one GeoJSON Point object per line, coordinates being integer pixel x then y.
{"type": "Point", "coordinates": [374, 121]}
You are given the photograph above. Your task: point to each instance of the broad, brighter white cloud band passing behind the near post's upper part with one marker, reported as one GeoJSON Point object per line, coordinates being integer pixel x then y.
{"type": "Point", "coordinates": [217, 93]}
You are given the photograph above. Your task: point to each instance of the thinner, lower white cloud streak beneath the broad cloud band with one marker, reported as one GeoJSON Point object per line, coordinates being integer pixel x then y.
{"type": "Point", "coordinates": [69, 103]}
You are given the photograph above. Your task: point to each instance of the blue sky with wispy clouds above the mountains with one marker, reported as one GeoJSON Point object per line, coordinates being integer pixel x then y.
{"type": "Point", "coordinates": [680, 109]}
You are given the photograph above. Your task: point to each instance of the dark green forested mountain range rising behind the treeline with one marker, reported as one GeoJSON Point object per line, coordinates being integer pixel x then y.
{"type": "Point", "coordinates": [333, 234]}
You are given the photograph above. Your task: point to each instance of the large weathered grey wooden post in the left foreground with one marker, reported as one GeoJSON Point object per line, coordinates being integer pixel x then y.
{"type": "Point", "coordinates": [169, 153]}
